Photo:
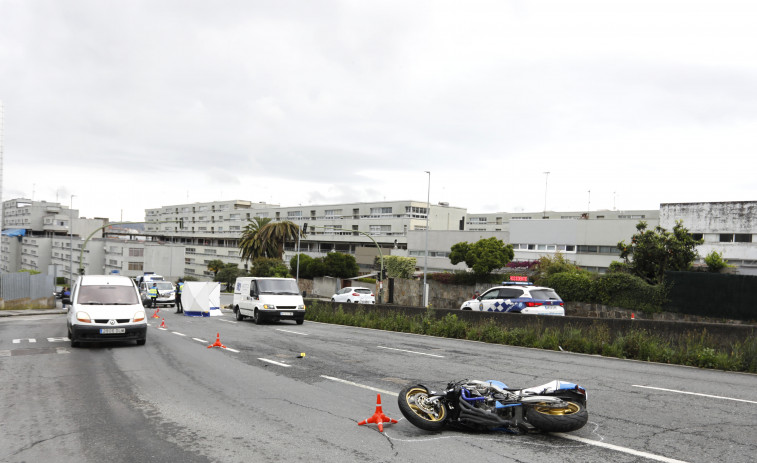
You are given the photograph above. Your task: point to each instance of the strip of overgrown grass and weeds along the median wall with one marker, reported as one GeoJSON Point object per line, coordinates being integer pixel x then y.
{"type": "Point", "coordinates": [699, 350]}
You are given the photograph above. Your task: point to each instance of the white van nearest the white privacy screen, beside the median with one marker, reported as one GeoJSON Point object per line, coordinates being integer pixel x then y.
{"type": "Point", "coordinates": [268, 299]}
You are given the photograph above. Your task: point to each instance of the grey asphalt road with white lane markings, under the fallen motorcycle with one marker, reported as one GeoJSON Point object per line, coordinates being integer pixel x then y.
{"type": "Point", "coordinates": [174, 399]}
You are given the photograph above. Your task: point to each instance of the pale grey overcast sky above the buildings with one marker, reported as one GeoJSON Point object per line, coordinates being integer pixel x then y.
{"type": "Point", "coordinates": [139, 104]}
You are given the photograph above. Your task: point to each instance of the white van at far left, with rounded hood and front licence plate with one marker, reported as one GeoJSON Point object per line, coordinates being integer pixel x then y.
{"type": "Point", "coordinates": [105, 308]}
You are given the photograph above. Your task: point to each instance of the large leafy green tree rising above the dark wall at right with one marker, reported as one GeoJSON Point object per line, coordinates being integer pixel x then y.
{"type": "Point", "coordinates": [658, 250]}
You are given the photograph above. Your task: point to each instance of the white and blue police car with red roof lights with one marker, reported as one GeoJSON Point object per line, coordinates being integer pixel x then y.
{"type": "Point", "coordinates": [523, 299]}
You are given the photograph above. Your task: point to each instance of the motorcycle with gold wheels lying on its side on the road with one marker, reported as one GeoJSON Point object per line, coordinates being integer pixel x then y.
{"type": "Point", "coordinates": [557, 406]}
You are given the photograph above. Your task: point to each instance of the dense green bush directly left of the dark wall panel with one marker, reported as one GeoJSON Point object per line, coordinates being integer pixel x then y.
{"type": "Point", "coordinates": [629, 292]}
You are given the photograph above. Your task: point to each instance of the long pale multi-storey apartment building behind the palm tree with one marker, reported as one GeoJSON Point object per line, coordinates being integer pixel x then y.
{"type": "Point", "coordinates": [212, 230]}
